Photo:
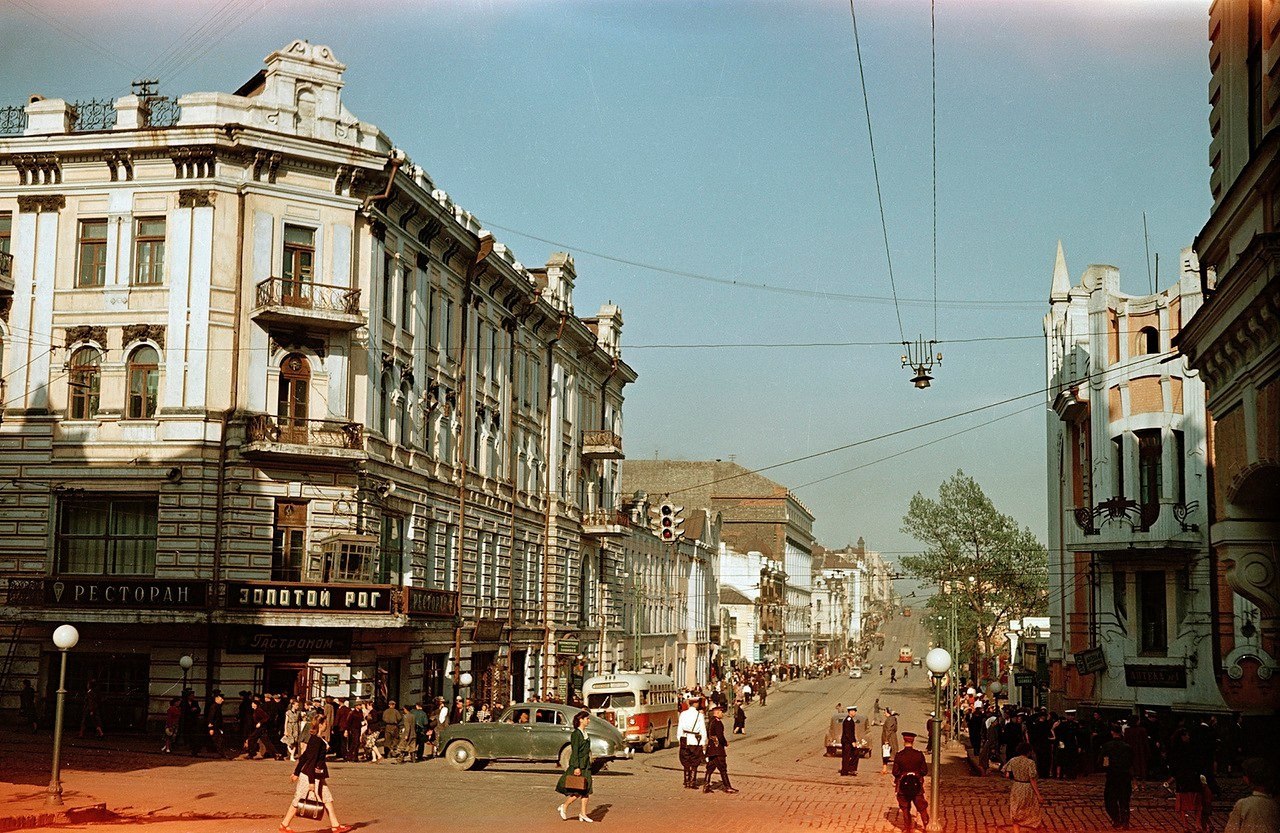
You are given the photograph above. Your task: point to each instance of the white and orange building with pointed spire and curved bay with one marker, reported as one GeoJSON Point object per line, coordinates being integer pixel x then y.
{"type": "Point", "coordinates": [1128, 497]}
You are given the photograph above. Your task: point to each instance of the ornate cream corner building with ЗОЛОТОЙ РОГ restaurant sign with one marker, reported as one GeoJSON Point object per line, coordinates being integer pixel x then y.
{"type": "Point", "coordinates": [275, 402]}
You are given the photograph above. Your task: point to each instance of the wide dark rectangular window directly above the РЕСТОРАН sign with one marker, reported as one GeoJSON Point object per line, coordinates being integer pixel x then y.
{"type": "Point", "coordinates": [108, 537]}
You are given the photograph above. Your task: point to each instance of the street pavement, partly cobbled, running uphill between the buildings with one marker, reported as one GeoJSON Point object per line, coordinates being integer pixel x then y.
{"type": "Point", "coordinates": [785, 780]}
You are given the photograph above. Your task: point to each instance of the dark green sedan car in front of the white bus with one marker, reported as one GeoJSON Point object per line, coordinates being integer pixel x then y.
{"type": "Point", "coordinates": [529, 733]}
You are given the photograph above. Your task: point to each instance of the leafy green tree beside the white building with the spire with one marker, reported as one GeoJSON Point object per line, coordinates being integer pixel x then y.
{"type": "Point", "coordinates": [979, 559]}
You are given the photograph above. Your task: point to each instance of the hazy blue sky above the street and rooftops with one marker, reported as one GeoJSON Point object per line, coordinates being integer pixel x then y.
{"type": "Point", "coordinates": [729, 140]}
